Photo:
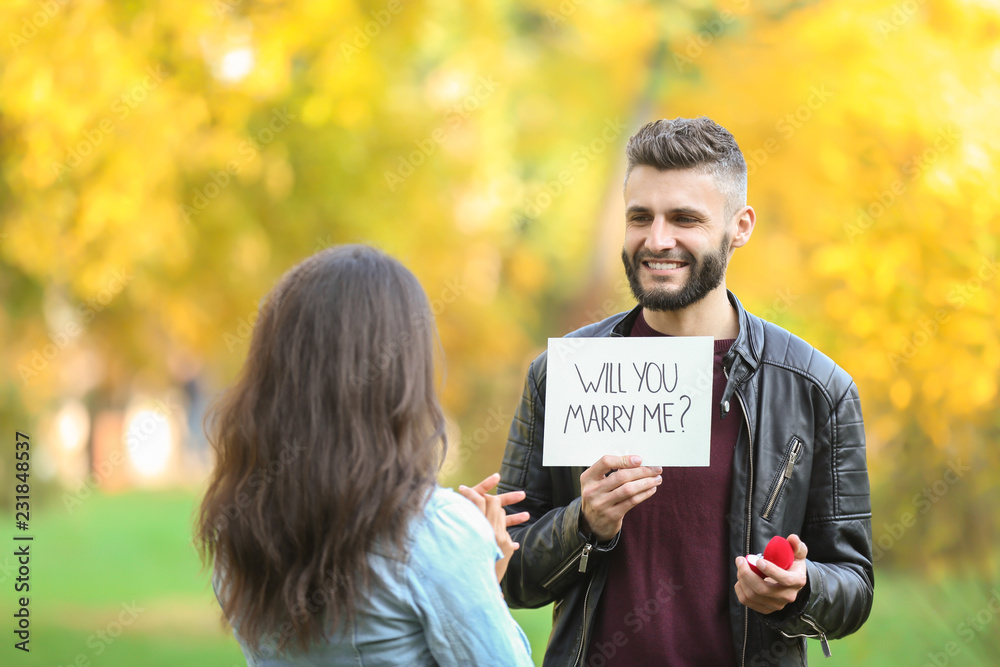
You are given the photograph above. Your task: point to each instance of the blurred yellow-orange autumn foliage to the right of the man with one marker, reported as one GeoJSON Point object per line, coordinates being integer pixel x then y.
{"type": "Point", "coordinates": [871, 141]}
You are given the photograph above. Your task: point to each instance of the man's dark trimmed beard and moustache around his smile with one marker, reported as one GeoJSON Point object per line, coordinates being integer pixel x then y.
{"type": "Point", "coordinates": [704, 276]}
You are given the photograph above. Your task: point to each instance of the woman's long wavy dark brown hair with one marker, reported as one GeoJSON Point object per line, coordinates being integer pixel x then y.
{"type": "Point", "coordinates": [328, 443]}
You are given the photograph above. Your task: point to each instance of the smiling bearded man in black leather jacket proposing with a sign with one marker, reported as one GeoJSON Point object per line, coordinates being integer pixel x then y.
{"type": "Point", "coordinates": [646, 565]}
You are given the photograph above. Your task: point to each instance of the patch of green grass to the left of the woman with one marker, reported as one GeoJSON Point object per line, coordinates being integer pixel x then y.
{"type": "Point", "coordinates": [109, 555]}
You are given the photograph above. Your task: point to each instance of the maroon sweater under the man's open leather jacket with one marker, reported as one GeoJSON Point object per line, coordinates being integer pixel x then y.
{"type": "Point", "coordinates": [666, 601]}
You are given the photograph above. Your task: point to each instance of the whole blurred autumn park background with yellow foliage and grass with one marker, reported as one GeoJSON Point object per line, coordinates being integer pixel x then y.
{"type": "Point", "coordinates": [163, 163]}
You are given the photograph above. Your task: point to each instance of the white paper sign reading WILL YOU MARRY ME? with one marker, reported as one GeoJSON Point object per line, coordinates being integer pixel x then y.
{"type": "Point", "coordinates": [646, 396]}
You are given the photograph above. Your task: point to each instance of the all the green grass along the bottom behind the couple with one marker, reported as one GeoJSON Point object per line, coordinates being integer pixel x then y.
{"type": "Point", "coordinates": [135, 550]}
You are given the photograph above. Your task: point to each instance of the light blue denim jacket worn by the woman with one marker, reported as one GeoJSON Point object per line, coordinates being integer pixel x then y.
{"type": "Point", "coordinates": [441, 606]}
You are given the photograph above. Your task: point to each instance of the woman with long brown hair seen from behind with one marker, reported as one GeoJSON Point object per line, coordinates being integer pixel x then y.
{"type": "Point", "coordinates": [330, 539]}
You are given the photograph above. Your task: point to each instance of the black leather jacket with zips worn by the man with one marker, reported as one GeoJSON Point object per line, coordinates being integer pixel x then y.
{"type": "Point", "coordinates": [799, 467]}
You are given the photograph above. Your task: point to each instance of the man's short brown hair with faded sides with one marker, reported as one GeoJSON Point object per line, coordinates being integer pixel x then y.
{"type": "Point", "coordinates": [692, 143]}
